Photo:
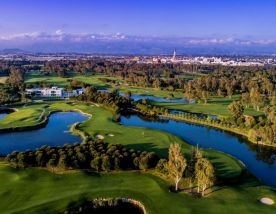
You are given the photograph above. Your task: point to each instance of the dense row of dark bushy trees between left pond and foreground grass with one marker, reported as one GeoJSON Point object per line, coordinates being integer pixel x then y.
{"type": "Point", "coordinates": [95, 155]}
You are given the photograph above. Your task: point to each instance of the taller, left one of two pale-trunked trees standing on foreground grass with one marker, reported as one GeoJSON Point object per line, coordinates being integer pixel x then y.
{"type": "Point", "coordinates": [176, 163]}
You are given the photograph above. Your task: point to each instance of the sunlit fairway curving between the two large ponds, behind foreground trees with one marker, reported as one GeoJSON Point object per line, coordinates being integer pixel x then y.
{"type": "Point", "coordinates": [132, 137]}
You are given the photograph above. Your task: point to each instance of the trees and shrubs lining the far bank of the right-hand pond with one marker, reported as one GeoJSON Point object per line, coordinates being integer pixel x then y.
{"type": "Point", "coordinates": [261, 129]}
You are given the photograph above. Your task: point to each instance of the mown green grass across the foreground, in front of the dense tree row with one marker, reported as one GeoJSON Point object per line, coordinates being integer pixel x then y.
{"type": "Point", "coordinates": [38, 191]}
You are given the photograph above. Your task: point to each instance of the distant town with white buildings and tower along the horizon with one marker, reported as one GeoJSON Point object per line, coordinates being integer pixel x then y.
{"type": "Point", "coordinates": [267, 60]}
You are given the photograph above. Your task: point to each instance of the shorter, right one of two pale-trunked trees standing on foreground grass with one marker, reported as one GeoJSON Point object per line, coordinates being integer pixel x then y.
{"type": "Point", "coordinates": [204, 174]}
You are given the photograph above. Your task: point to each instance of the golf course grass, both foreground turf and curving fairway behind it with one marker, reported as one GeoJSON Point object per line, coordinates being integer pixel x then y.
{"type": "Point", "coordinates": [34, 190]}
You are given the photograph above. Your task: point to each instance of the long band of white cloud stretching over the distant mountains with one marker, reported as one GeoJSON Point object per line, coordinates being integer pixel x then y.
{"type": "Point", "coordinates": [59, 36]}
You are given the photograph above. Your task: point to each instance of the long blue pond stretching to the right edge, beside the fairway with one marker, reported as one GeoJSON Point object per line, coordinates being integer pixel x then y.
{"type": "Point", "coordinates": [260, 161]}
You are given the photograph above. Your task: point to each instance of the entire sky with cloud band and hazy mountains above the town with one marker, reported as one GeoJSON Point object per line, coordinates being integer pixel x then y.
{"type": "Point", "coordinates": [152, 27]}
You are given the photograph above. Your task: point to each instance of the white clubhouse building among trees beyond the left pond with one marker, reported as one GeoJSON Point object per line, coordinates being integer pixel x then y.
{"type": "Point", "coordinates": [53, 92]}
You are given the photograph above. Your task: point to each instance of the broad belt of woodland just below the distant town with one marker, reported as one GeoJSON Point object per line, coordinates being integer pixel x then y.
{"type": "Point", "coordinates": [218, 80]}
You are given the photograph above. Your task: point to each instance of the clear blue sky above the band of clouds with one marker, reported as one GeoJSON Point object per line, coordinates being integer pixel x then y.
{"type": "Point", "coordinates": [195, 18]}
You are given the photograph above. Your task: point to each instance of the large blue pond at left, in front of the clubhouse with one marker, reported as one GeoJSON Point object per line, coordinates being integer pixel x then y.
{"type": "Point", "coordinates": [56, 133]}
